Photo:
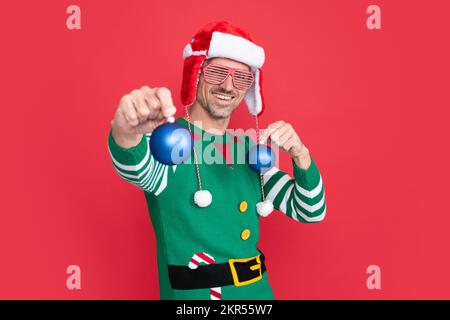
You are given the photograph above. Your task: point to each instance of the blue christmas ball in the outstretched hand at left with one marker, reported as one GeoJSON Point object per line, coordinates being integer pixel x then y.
{"type": "Point", "coordinates": [171, 143]}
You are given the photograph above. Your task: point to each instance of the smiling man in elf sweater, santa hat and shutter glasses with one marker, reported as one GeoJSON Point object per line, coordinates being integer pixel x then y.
{"type": "Point", "coordinates": [206, 215]}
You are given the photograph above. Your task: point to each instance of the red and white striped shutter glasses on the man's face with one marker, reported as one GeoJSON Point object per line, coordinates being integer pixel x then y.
{"type": "Point", "coordinates": [217, 74]}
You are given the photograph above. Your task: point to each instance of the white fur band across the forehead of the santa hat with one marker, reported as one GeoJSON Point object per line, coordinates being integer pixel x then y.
{"type": "Point", "coordinates": [225, 45]}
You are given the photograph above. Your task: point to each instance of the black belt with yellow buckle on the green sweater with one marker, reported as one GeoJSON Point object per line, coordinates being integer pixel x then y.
{"type": "Point", "coordinates": [238, 272]}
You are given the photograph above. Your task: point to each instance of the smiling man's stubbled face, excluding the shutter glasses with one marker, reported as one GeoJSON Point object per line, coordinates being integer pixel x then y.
{"type": "Point", "coordinates": [220, 100]}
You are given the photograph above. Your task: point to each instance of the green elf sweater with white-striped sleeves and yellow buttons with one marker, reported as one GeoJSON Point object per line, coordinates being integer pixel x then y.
{"type": "Point", "coordinates": [183, 229]}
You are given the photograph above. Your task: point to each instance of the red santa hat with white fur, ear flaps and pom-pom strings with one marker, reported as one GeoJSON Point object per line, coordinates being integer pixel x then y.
{"type": "Point", "coordinates": [223, 40]}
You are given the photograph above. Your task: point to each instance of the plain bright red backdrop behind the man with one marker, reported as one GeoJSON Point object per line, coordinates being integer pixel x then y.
{"type": "Point", "coordinates": [371, 105]}
